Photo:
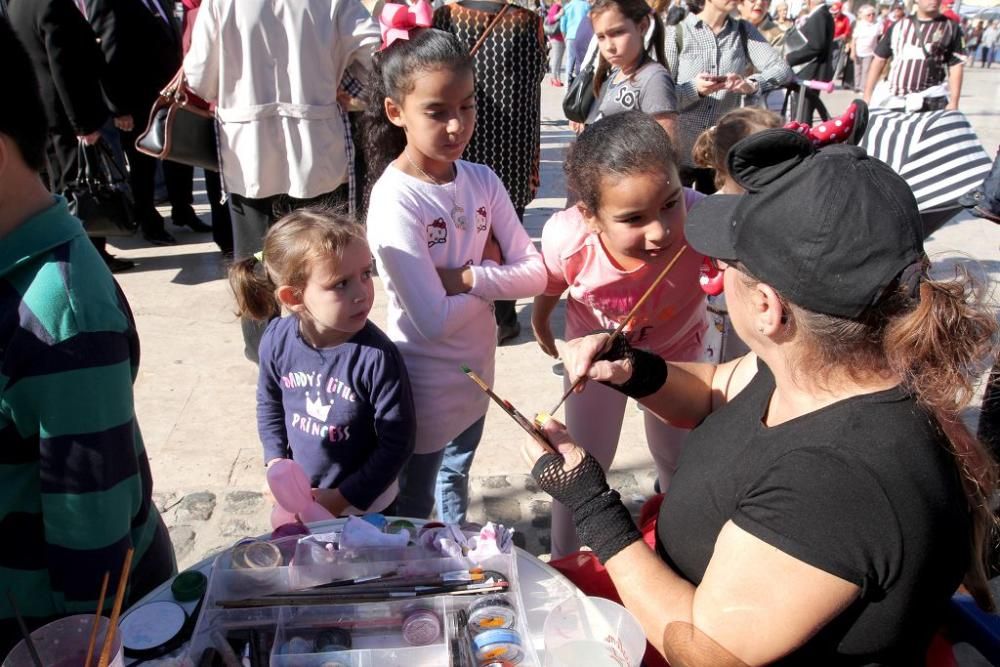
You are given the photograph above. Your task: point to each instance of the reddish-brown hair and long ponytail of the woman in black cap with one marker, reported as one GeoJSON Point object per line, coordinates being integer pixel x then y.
{"type": "Point", "coordinates": [937, 338]}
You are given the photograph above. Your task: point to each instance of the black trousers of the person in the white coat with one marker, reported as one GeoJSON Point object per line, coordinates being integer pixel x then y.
{"type": "Point", "coordinates": [251, 220]}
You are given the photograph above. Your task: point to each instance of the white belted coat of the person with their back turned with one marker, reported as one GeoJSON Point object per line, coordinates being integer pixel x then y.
{"type": "Point", "coordinates": [272, 67]}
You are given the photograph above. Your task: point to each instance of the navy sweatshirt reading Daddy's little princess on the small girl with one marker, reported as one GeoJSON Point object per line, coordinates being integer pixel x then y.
{"type": "Point", "coordinates": [344, 413]}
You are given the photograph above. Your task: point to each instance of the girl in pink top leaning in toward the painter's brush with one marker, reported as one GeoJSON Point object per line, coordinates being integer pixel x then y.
{"type": "Point", "coordinates": [606, 251]}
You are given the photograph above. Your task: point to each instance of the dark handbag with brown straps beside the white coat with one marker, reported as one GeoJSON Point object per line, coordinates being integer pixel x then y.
{"type": "Point", "coordinates": [179, 129]}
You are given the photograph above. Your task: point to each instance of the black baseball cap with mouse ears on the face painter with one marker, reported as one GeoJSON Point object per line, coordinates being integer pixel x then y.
{"type": "Point", "coordinates": [830, 229]}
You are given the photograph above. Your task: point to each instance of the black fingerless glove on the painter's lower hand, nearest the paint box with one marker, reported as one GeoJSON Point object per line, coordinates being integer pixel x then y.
{"type": "Point", "coordinates": [602, 520]}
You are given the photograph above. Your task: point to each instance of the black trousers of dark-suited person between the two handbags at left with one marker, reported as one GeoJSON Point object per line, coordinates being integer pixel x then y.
{"type": "Point", "coordinates": [142, 176]}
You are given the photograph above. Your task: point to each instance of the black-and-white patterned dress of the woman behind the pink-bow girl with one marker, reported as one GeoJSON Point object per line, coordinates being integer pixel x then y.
{"type": "Point", "coordinates": [509, 68]}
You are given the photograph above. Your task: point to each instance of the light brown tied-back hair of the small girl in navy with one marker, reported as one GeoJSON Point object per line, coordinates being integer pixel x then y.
{"type": "Point", "coordinates": [291, 247]}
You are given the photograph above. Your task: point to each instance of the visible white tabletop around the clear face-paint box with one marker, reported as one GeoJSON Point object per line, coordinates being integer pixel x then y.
{"type": "Point", "coordinates": [542, 587]}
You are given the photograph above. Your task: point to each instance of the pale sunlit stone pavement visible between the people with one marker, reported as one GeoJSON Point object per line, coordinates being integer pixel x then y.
{"type": "Point", "coordinates": [195, 391]}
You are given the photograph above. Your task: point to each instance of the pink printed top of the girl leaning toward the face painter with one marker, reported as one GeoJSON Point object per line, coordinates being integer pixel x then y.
{"type": "Point", "coordinates": [673, 320]}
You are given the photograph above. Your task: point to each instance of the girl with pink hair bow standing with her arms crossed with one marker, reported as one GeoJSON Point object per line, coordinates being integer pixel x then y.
{"type": "Point", "coordinates": [448, 244]}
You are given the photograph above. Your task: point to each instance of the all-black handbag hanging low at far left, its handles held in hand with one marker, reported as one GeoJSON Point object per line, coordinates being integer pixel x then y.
{"type": "Point", "coordinates": [100, 196]}
